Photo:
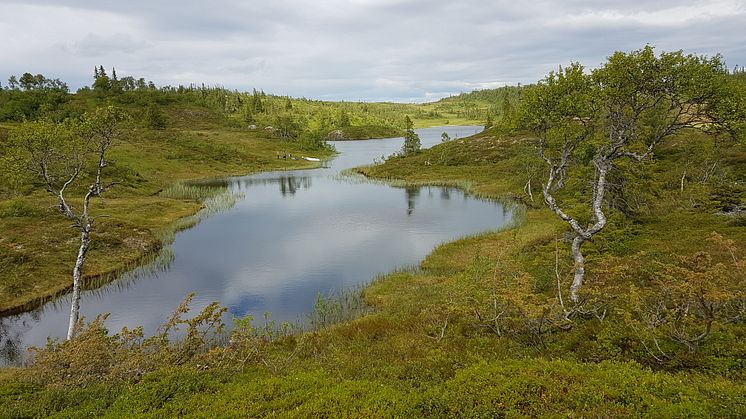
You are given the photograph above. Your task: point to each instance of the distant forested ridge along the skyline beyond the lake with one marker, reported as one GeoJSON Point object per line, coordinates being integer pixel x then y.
{"type": "Point", "coordinates": [31, 97]}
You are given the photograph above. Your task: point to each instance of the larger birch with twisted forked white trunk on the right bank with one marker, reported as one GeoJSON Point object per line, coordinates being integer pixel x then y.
{"type": "Point", "coordinates": [620, 111]}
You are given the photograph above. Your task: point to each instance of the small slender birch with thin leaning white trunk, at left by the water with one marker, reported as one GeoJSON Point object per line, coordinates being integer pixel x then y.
{"type": "Point", "coordinates": [63, 154]}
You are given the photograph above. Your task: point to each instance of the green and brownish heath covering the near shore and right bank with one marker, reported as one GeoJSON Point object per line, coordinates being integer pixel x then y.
{"type": "Point", "coordinates": [481, 327]}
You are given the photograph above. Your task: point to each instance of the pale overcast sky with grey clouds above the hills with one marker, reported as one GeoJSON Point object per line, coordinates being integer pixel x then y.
{"type": "Point", "coordinates": [372, 50]}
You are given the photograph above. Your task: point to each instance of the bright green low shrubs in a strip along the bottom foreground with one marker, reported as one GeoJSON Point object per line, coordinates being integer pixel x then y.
{"type": "Point", "coordinates": [486, 389]}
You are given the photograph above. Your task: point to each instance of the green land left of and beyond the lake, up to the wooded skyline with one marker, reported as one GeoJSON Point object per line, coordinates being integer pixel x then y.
{"type": "Point", "coordinates": [178, 134]}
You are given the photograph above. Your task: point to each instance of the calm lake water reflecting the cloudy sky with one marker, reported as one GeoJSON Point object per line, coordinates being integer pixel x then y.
{"type": "Point", "coordinates": [291, 236]}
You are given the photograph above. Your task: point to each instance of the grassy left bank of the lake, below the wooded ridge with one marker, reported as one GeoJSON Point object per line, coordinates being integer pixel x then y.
{"type": "Point", "coordinates": [38, 243]}
